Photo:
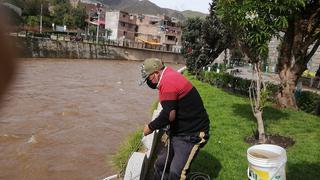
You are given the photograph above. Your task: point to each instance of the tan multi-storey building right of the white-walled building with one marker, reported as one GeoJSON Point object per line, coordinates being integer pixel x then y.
{"type": "Point", "coordinates": [159, 30]}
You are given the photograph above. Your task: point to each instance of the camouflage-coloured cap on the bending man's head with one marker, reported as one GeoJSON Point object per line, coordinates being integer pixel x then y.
{"type": "Point", "coordinates": [149, 66]}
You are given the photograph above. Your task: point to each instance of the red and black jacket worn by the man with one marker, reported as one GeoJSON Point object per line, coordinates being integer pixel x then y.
{"type": "Point", "coordinates": [177, 93]}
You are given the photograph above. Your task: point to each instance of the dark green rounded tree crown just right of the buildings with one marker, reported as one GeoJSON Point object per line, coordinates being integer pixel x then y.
{"type": "Point", "coordinates": [204, 40]}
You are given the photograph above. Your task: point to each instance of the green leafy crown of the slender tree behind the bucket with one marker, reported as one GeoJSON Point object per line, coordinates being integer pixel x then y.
{"type": "Point", "coordinates": [254, 23]}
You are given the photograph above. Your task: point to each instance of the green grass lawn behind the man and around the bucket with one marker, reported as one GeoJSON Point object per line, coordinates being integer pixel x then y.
{"type": "Point", "coordinates": [224, 156]}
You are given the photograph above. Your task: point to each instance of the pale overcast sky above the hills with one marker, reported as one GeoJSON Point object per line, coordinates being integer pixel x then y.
{"type": "Point", "coordinates": [181, 5]}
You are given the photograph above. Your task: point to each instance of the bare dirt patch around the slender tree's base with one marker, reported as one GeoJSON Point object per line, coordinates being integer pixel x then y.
{"type": "Point", "coordinates": [275, 139]}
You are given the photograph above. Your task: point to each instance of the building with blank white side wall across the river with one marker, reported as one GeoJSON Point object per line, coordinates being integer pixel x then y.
{"type": "Point", "coordinates": [122, 24]}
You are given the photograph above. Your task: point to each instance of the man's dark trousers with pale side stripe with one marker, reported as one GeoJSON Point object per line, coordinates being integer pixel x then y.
{"type": "Point", "coordinates": [183, 149]}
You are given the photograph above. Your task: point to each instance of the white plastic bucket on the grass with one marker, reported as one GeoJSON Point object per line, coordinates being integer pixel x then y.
{"type": "Point", "coordinates": [266, 162]}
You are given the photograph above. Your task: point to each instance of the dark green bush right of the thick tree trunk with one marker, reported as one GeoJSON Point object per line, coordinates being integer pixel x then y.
{"type": "Point", "coordinates": [309, 102]}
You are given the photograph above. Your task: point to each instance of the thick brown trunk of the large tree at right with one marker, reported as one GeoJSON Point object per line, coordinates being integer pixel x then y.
{"type": "Point", "coordinates": [299, 43]}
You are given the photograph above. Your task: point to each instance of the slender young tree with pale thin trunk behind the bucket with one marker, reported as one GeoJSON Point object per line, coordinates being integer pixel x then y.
{"type": "Point", "coordinates": [255, 28]}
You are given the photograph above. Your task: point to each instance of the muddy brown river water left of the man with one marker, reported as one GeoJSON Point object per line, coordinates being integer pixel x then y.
{"type": "Point", "coordinates": [64, 119]}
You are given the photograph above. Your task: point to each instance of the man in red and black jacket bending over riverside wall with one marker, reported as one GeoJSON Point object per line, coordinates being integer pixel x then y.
{"type": "Point", "coordinates": [183, 110]}
